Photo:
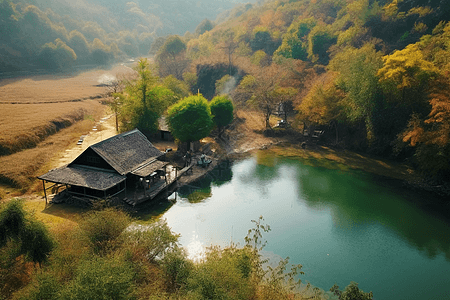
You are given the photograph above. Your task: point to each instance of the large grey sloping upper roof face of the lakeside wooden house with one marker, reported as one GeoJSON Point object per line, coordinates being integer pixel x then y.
{"type": "Point", "coordinates": [127, 151]}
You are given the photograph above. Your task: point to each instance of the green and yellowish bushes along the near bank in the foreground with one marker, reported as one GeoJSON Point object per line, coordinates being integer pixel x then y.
{"type": "Point", "coordinates": [106, 255]}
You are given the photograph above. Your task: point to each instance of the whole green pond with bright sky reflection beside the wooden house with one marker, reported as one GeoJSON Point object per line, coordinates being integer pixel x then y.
{"type": "Point", "coordinates": [341, 226]}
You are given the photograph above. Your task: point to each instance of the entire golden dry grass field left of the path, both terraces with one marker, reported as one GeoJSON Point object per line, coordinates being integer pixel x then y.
{"type": "Point", "coordinates": [41, 116]}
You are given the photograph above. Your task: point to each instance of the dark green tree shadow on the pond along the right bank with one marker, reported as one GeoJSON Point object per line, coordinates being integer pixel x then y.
{"type": "Point", "coordinates": [357, 198]}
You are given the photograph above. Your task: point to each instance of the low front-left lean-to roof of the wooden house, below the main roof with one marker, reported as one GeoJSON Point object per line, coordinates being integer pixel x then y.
{"type": "Point", "coordinates": [89, 177]}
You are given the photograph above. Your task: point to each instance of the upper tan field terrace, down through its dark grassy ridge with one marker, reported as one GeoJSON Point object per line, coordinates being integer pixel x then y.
{"type": "Point", "coordinates": [36, 107]}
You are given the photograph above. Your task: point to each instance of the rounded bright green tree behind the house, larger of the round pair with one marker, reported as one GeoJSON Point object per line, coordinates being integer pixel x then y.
{"type": "Point", "coordinates": [190, 119]}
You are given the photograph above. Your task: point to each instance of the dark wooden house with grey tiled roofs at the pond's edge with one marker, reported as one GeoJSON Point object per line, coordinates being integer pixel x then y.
{"type": "Point", "coordinates": [111, 168]}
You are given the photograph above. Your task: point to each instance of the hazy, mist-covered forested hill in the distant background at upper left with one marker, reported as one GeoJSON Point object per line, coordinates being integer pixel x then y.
{"type": "Point", "coordinates": [55, 34]}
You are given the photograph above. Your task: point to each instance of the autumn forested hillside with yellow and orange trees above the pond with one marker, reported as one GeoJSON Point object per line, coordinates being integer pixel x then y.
{"type": "Point", "coordinates": [374, 74]}
